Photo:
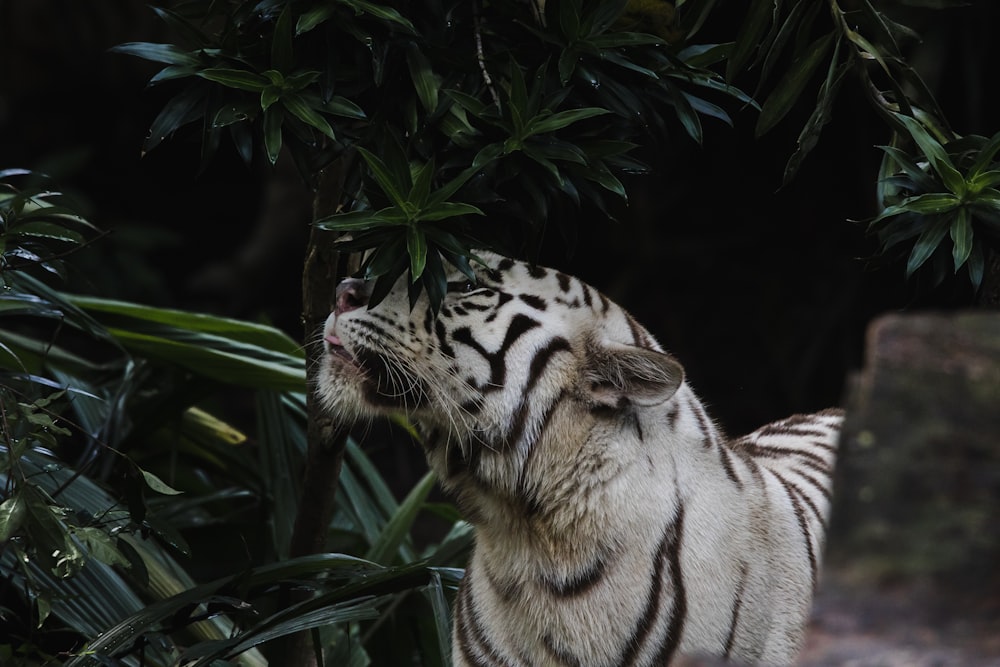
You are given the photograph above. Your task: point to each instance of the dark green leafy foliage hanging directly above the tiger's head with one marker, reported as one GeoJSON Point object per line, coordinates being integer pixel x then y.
{"type": "Point", "coordinates": [477, 123]}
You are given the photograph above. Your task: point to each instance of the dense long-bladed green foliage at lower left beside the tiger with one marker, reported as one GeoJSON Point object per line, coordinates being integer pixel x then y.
{"type": "Point", "coordinates": [125, 470]}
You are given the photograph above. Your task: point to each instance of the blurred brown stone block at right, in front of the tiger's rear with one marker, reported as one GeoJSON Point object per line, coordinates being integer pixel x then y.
{"type": "Point", "coordinates": [913, 571]}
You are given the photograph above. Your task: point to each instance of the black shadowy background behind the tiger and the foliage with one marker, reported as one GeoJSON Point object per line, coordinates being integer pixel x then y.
{"type": "Point", "coordinates": [763, 292]}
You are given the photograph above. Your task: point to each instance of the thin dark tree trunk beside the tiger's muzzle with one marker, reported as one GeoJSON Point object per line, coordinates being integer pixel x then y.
{"type": "Point", "coordinates": [326, 439]}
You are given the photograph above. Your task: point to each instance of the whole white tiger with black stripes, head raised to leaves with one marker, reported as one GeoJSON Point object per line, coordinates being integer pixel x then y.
{"type": "Point", "coordinates": [614, 524]}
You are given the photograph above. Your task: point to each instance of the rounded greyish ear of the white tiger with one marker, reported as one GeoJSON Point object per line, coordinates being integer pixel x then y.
{"type": "Point", "coordinates": [617, 374]}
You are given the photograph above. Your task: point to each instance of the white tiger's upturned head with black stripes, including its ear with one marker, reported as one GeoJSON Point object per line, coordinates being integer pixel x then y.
{"type": "Point", "coordinates": [506, 355]}
